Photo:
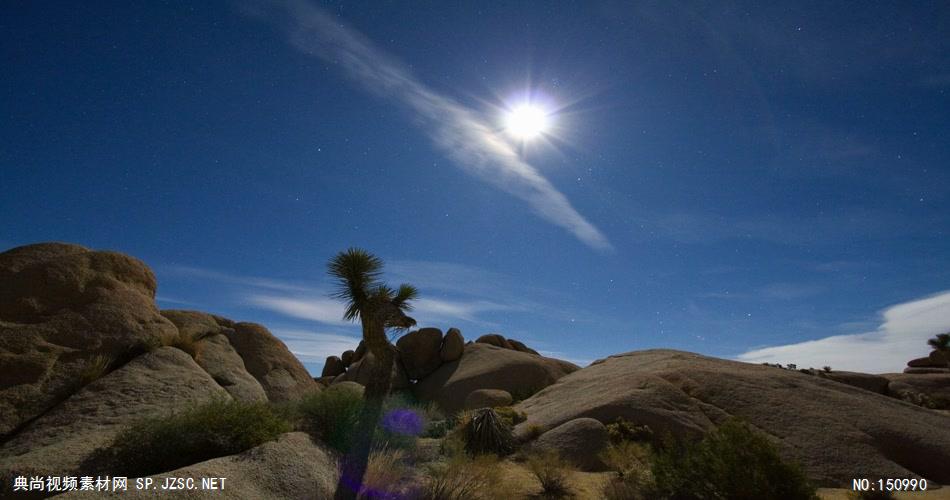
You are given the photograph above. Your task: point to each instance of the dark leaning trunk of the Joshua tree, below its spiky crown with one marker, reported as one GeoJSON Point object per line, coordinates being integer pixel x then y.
{"type": "Point", "coordinates": [354, 464]}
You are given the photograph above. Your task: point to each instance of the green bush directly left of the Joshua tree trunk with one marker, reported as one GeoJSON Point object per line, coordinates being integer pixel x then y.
{"type": "Point", "coordinates": [331, 415]}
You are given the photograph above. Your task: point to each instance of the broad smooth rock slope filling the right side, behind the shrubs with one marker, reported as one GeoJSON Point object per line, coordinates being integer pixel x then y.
{"type": "Point", "coordinates": [836, 431]}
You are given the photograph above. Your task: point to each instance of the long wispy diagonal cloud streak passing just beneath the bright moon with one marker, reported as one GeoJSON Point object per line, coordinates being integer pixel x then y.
{"type": "Point", "coordinates": [459, 131]}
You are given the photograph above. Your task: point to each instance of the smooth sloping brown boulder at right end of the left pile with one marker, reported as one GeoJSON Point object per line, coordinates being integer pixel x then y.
{"type": "Point", "coordinates": [271, 363]}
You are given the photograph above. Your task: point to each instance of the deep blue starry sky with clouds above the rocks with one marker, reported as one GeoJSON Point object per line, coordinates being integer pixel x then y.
{"type": "Point", "coordinates": [720, 177]}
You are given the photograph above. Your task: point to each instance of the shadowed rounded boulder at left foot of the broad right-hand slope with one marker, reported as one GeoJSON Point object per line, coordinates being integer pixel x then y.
{"type": "Point", "coordinates": [579, 441]}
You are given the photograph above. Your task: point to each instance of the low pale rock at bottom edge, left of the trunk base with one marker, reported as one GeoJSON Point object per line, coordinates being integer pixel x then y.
{"type": "Point", "coordinates": [291, 468]}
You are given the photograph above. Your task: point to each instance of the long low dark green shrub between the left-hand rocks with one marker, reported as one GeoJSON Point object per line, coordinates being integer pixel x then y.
{"type": "Point", "coordinates": [215, 429]}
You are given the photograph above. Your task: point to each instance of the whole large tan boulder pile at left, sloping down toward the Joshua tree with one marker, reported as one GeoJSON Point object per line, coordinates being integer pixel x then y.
{"type": "Point", "coordinates": [84, 351]}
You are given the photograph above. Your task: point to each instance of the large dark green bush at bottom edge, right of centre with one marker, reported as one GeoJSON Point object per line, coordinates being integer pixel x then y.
{"type": "Point", "coordinates": [732, 462]}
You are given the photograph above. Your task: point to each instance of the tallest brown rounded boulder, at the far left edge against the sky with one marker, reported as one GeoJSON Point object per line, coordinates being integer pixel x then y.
{"type": "Point", "coordinates": [62, 306]}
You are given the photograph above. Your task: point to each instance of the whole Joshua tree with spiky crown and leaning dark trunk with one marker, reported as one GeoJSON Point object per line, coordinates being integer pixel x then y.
{"type": "Point", "coordinates": [377, 307]}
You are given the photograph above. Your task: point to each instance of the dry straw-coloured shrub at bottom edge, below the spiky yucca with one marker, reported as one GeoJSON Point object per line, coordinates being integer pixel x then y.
{"type": "Point", "coordinates": [463, 478]}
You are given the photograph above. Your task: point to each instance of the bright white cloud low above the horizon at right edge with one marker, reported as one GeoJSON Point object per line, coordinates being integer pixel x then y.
{"type": "Point", "coordinates": [901, 337]}
